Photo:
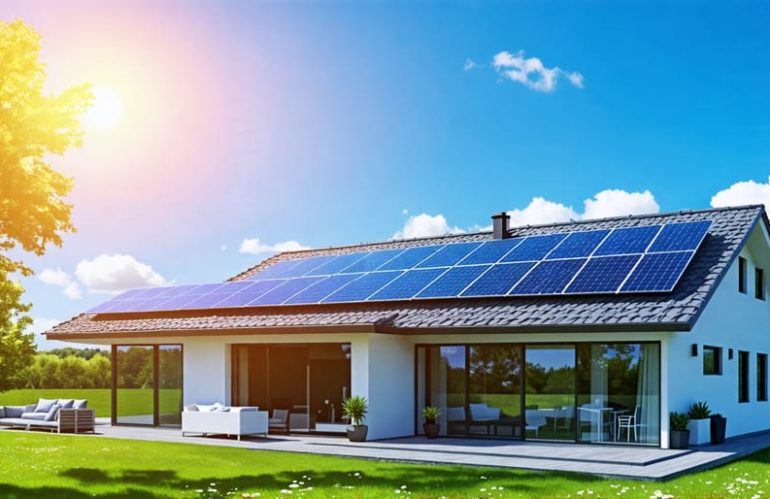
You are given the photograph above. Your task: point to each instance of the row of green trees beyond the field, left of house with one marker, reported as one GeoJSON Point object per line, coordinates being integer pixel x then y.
{"type": "Point", "coordinates": [51, 370]}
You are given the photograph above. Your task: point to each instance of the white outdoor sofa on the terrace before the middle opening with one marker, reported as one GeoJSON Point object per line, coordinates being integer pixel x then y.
{"type": "Point", "coordinates": [220, 420]}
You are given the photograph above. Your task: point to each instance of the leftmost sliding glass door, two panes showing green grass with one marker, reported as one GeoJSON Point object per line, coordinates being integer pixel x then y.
{"type": "Point", "coordinates": [147, 385]}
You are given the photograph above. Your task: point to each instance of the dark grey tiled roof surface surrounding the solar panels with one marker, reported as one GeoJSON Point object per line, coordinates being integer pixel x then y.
{"type": "Point", "coordinates": [675, 311]}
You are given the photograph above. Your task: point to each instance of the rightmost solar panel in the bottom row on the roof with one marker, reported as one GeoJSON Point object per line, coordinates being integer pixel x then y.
{"type": "Point", "coordinates": [658, 272]}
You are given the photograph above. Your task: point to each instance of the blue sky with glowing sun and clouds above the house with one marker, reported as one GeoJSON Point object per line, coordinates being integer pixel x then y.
{"type": "Point", "coordinates": [239, 129]}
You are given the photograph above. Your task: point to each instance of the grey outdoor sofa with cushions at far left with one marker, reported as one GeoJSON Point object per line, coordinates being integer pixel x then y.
{"type": "Point", "coordinates": [62, 415]}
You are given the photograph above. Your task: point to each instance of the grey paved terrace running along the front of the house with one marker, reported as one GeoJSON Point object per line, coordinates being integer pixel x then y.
{"type": "Point", "coordinates": [638, 463]}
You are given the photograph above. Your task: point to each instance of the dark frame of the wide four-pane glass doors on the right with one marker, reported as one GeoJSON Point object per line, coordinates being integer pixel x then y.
{"type": "Point", "coordinates": [523, 346]}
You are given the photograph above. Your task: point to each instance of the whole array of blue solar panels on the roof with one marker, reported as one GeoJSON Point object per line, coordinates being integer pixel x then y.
{"type": "Point", "coordinates": [638, 259]}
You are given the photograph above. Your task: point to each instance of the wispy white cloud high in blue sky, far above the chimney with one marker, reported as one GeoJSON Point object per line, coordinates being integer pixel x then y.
{"type": "Point", "coordinates": [531, 72]}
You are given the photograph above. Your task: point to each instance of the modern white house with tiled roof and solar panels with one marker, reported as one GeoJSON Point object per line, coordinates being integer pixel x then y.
{"type": "Point", "coordinates": [588, 331]}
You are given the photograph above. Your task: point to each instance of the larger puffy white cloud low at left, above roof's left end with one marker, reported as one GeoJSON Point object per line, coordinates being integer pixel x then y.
{"type": "Point", "coordinates": [112, 274]}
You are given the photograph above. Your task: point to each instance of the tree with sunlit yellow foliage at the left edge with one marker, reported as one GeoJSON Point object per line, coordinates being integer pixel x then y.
{"type": "Point", "coordinates": [33, 211]}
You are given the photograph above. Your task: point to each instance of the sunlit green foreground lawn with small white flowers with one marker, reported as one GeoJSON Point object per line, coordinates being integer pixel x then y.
{"type": "Point", "coordinates": [49, 465]}
